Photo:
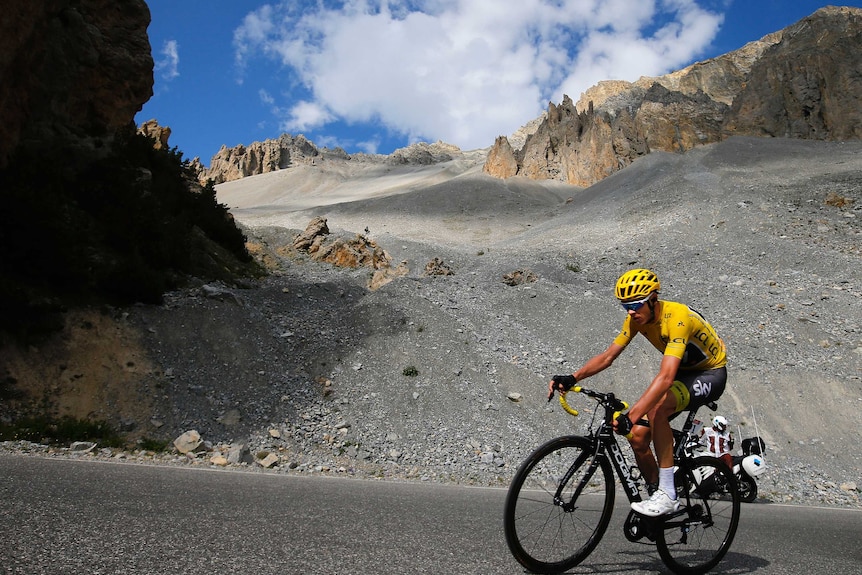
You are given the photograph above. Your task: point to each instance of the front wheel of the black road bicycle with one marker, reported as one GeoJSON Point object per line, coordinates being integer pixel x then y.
{"type": "Point", "coordinates": [559, 505]}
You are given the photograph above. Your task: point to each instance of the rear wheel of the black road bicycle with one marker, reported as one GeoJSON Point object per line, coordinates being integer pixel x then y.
{"type": "Point", "coordinates": [694, 539]}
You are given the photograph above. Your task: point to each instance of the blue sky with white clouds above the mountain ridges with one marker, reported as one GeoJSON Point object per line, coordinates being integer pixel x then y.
{"type": "Point", "coordinates": [377, 75]}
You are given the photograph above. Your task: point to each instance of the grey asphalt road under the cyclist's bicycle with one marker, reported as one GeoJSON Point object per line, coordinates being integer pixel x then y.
{"type": "Point", "coordinates": [61, 516]}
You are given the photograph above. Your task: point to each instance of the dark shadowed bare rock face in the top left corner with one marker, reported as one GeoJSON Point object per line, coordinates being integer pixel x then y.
{"type": "Point", "coordinates": [73, 71]}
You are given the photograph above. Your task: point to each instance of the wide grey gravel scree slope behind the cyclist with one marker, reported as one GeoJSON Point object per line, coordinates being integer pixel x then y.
{"type": "Point", "coordinates": [310, 365]}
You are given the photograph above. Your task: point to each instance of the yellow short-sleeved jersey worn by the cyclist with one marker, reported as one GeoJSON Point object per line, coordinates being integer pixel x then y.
{"type": "Point", "coordinates": [680, 332]}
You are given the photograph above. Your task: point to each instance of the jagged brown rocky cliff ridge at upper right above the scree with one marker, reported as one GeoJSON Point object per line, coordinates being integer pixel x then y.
{"type": "Point", "coordinates": [801, 82]}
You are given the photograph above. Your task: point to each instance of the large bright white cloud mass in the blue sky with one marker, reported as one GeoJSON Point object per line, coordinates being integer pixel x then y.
{"type": "Point", "coordinates": [463, 71]}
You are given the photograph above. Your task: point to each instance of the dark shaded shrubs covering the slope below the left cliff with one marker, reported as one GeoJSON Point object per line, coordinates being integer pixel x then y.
{"type": "Point", "coordinates": [120, 229]}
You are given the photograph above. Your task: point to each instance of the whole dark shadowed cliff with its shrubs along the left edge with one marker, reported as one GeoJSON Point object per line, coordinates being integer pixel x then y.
{"type": "Point", "coordinates": [93, 211]}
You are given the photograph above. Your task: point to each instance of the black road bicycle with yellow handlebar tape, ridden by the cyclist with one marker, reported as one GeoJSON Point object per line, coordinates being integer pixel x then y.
{"type": "Point", "coordinates": [561, 499]}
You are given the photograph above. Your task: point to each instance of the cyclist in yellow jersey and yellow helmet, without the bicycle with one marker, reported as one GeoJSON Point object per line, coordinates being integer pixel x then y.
{"type": "Point", "coordinates": [692, 373]}
